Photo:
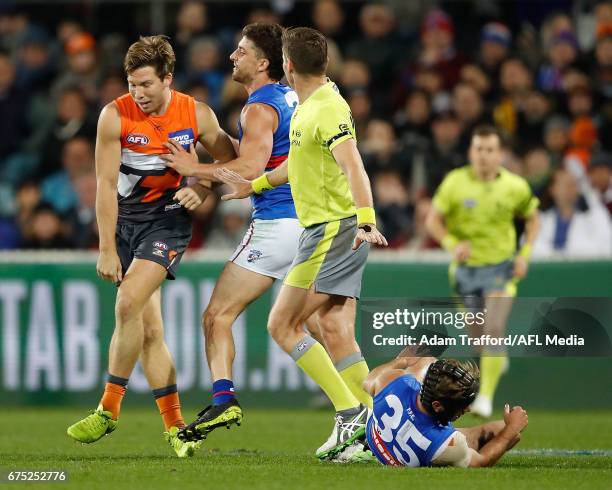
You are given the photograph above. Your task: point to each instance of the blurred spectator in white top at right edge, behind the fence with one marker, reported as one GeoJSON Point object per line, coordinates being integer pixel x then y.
{"type": "Point", "coordinates": [578, 224]}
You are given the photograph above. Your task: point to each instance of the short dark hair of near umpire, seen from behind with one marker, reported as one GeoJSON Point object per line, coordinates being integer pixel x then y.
{"type": "Point", "coordinates": [307, 50]}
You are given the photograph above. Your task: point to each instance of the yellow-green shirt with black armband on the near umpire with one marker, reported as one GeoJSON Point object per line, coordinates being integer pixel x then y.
{"type": "Point", "coordinates": [319, 188]}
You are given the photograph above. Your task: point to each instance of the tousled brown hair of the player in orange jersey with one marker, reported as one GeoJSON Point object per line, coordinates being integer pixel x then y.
{"type": "Point", "coordinates": [153, 51]}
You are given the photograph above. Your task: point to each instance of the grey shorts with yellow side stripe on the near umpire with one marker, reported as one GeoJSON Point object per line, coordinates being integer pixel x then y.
{"type": "Point", "coordinates": [325, 259]}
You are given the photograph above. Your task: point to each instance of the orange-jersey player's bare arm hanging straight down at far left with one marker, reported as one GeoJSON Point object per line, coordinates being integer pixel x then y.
{"type": "Point", "coordinates": [108, 158]}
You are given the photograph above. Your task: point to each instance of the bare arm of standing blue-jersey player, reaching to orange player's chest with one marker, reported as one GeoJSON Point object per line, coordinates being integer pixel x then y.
{"type": "Point", "coordinates": [259, 122]}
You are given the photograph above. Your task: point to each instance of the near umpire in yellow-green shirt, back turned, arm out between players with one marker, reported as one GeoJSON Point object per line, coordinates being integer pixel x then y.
{"type": "Point", "coordinates": [333, 201]}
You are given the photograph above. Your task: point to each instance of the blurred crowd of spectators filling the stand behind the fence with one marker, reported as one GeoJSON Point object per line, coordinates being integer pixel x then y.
{"type": "Point", "coordinates": [419, 76]}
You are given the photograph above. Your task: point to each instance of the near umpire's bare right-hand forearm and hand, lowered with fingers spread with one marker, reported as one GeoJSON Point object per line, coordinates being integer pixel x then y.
{"type": "Point", "coordinates": [347, 156]}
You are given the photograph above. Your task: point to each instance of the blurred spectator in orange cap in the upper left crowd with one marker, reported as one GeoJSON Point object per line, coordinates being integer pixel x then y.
{"type": "Point", "coordinates": [82, 67]}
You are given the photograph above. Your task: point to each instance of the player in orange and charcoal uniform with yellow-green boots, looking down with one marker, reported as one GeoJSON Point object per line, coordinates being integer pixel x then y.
{"type": "Point", "coordinates": [141, 208]}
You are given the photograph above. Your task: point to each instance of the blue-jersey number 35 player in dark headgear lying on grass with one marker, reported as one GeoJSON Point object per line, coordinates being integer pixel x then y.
{"type": "Point", "coordinates": [416, 399]}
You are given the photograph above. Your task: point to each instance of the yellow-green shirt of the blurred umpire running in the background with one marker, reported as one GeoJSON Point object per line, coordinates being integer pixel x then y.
{"type": "Point", "coordinates": [482, 212]}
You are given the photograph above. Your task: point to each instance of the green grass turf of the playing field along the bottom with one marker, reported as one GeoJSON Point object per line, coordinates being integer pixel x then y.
{"type": "Point", "coordinates": [274, 449]}
